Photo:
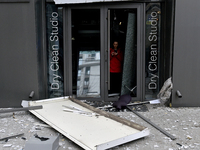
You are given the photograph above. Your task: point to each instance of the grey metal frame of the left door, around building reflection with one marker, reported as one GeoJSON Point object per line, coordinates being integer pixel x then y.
{"type": "Point", "coordinates": [68, 48]}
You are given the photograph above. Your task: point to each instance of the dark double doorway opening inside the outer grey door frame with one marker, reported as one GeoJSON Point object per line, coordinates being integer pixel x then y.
{"type": "Point", "coordinates": [93, 77]}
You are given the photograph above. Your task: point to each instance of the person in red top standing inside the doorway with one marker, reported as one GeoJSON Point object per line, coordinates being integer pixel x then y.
{"type": "Point", "coordinates": [116, 62]}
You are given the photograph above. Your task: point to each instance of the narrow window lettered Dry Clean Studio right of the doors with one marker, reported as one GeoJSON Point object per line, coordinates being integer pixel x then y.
{"type": "Point", "coordinates": [152, 49]}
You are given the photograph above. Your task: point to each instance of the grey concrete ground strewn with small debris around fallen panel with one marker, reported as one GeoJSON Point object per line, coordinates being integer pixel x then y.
{"type": "Point", "coordinates": [183, 123]}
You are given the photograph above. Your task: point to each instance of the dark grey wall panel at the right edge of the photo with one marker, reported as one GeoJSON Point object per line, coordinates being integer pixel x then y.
{"type": "Point", "coordinates": [186, 69]}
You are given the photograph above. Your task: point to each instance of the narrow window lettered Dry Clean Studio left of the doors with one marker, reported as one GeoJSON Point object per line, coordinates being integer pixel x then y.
{"type": "Point", "coordinates": [54, 38]}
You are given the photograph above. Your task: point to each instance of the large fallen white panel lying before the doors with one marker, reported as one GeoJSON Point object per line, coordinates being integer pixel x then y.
{"type": "Point", "coordinates": [87, 128]}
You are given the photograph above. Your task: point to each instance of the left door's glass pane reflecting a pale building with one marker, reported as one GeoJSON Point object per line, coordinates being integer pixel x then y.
{"type": "Point", "coordinates": [86, 52]}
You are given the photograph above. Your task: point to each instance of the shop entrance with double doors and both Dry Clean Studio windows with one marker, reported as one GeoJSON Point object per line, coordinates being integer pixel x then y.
{"type": "Point", "coordinates": [78, 38]}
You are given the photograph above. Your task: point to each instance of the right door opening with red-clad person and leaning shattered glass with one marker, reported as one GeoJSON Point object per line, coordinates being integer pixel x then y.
{"type": "Point", "coordinates": [122, 28]}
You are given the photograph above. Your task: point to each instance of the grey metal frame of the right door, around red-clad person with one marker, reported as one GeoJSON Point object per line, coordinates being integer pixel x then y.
{"type": "Point", "coordinates": [140, 48]}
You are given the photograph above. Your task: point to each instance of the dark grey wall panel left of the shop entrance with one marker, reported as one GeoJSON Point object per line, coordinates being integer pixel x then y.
{"type": "Point", "coordinates": [18, 59]}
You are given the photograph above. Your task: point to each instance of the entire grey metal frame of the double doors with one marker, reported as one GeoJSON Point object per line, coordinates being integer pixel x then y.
{"type": "Point", "coordinates": [104, 7]}
